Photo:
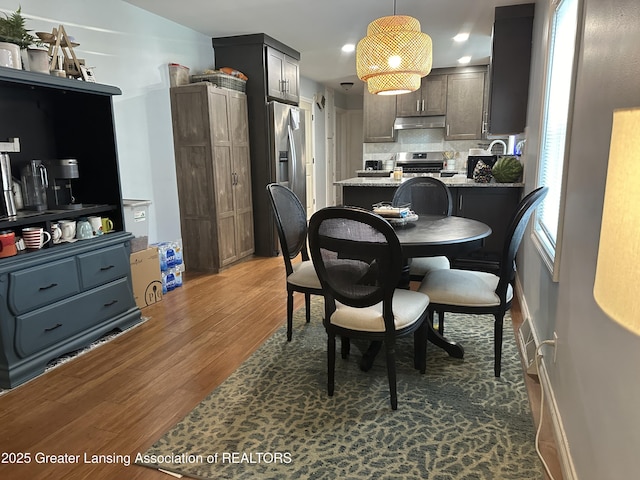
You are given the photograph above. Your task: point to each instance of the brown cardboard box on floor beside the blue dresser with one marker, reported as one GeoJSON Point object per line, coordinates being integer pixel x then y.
{"type": "Point", "coordinates": [147, 281]}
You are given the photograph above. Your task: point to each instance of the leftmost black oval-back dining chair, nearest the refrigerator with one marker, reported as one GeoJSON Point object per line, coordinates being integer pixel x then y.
{"type": "Point", "coordinates": [291, 223]}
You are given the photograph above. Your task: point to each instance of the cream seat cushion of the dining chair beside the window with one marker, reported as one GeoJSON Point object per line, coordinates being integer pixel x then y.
{"type": "Point", "coordinates": [465, 288]}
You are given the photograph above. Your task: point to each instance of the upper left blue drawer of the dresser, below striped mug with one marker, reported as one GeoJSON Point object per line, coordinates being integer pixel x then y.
{"type": "Point", "coordinates": [34, 287]}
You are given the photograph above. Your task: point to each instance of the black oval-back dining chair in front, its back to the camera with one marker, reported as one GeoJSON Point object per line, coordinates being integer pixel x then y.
{"type": "Point", "coordinates": [359, 261]}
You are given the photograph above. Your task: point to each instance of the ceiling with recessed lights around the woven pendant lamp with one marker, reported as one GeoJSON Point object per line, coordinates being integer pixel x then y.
{"type": "Point", "coordinates": [318, 29]}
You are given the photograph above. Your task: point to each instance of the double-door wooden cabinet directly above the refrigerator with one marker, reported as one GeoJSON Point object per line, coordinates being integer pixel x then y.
{"type": "Point", "coordinates": [283, 77]}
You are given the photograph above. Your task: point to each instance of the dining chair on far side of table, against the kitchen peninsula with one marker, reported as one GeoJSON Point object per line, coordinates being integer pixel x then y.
{"type": "Point", "coordinates": [425, 195]}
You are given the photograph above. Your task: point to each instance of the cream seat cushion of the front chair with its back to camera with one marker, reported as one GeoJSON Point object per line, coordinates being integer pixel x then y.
{"type": "Point", "coordinates": [408, 307]}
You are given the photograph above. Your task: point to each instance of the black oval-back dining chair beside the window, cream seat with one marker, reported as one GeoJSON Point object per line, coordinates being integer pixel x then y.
{"type": "Point", "coordinates": [475, 292]}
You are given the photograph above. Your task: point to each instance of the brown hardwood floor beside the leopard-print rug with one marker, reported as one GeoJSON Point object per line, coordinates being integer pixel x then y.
{"type": "Point", "coordinates": [119, 398]}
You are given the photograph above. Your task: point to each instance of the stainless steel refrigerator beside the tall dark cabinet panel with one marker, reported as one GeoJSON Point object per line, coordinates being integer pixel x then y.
{"type": "Point", "coordinates": [287, 145]}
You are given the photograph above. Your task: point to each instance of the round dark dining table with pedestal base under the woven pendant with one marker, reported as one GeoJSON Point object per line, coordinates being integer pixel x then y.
{"type": "Point", "coordinates": [429, 236]}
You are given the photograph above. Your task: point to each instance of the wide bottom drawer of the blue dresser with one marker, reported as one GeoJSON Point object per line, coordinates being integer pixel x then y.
{"type": "Point", "coordinates": [57, 322]}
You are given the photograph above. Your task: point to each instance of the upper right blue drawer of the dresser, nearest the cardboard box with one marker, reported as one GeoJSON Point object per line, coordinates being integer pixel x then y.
{"type": "Point", "coordinates": [102, 266]}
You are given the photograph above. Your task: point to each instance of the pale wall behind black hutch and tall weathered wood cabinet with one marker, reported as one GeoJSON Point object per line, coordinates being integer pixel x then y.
{"type": "Point", "coordinates": [130, 49]}
